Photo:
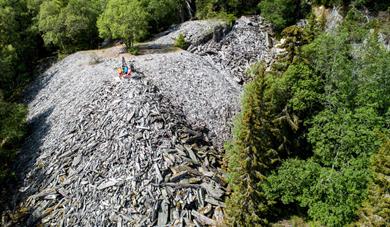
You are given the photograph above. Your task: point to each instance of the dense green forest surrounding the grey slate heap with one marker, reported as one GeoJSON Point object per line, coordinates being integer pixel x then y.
{"type": "Point", "coordinates": [312, 139]}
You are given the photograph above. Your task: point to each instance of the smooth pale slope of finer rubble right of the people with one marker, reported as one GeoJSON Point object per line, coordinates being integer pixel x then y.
{"type": "Point", "coordinates": [206, 96]}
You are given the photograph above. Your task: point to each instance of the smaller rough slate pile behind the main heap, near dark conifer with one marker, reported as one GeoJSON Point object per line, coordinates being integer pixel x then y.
{"type": "Point", "coordinates": [249, 41]}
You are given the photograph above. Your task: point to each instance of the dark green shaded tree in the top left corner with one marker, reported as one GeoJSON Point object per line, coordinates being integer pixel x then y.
{"type": "Point", "coordinates": [18, 46]}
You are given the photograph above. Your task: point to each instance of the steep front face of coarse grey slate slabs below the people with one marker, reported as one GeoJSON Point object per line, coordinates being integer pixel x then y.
{"type": "Point", "coordinates": [127, 158]}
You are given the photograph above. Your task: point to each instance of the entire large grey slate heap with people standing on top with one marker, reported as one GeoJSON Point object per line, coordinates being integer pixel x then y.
{"type": "Point", "coordinates": [138, 152]}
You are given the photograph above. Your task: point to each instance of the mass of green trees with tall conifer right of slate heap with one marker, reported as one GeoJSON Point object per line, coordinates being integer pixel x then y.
{"type": "Point", "coordinates": [325, 109]}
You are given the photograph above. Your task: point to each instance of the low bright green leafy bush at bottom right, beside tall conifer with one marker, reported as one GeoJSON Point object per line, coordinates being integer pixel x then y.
{"type": "Point", "coordinates": [331, 195]}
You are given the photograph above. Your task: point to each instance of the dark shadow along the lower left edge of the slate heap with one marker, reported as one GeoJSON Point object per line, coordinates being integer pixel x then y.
{"type": "Point", "coordinates": [25, 183]}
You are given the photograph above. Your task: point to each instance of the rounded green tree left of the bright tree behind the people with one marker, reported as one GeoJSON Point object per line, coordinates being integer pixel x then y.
{"type": "Point", "coordinates": [68, 24]}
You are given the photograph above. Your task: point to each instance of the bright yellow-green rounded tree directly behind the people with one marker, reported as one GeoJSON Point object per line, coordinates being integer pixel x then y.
{"type": "Point", "coordinates": [124, 19]}
